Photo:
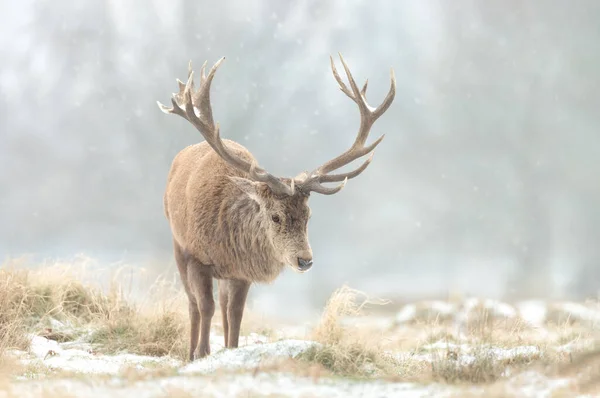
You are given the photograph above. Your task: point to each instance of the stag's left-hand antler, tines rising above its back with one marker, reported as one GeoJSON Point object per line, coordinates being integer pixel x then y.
{"type": "Point", "coordinates": [195, 107]}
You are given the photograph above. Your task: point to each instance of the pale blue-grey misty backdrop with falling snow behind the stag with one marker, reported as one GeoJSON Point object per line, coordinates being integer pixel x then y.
{"type": "Point", "coordinates": [486, 182]}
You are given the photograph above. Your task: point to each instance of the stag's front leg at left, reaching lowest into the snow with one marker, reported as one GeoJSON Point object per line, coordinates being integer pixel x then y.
{"type": "Point", "coordinates": [201, 286]}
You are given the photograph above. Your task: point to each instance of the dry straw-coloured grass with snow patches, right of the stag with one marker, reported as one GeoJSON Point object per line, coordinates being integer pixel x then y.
{"type": "Point", "coordinates": [362, 352]}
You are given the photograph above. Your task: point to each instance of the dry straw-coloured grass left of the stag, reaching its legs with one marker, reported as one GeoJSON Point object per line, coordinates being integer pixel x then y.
{"type": "Point", "coordinates": [32, 299]}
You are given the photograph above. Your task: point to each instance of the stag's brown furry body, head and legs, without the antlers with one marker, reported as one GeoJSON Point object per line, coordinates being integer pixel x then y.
{"type": "Point", "coordinates": [223, 228]}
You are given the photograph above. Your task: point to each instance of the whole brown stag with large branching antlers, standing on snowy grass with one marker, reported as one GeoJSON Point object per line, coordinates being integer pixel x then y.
{"type": "Point", "coordinates": [234, 222]}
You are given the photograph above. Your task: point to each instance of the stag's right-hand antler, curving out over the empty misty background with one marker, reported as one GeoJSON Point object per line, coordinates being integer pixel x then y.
{"type": "Point", "coordinates": [368, 115]}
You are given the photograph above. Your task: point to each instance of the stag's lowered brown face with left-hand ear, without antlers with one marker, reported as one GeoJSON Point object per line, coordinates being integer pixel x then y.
{"type": "Point", "coordinates": [284, 221]}
